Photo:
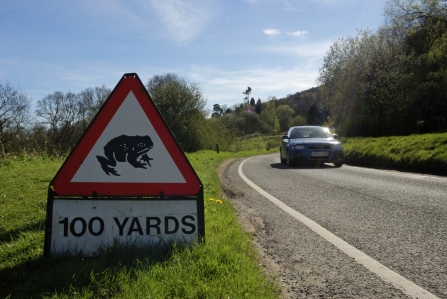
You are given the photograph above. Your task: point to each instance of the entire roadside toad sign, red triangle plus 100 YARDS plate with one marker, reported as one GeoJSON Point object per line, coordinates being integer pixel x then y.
{"type": "Point", "coordinates": [127, 180]}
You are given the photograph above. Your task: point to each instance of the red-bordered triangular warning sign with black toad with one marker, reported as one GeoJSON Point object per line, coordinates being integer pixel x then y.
{"type": "Point", "coordinates": [127, 150]}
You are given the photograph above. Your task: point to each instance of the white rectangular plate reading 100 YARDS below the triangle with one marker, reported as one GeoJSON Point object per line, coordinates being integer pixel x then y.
{"type": "Point", "coordinates": [83, 225]}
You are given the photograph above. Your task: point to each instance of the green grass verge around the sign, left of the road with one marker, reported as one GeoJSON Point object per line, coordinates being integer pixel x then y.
{"type": "Point", "coordinates": [225, 266]}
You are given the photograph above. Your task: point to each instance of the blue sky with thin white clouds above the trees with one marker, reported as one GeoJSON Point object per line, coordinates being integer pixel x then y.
{"type": "Point", "coordinates": [274, 46]}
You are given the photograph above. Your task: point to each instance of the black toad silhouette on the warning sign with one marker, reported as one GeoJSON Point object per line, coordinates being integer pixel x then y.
{"type": "Point", "coordinates": [132, 149]}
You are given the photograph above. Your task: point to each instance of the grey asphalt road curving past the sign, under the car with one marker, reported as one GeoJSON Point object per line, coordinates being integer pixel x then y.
{"type": "Point", "coordinates": [395, 221]}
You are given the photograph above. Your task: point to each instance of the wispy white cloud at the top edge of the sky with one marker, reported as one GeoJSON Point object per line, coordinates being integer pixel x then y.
{"type": "Point", "coordinates": [184, 20]}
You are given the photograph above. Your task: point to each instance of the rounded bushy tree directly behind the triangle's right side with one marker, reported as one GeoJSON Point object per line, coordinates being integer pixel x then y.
{"type": "Point", "coordinates": [182, 105]}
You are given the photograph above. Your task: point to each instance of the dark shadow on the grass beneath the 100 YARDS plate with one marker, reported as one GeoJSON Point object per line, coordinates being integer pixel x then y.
{"type": "Point", "coordinates": [71, 276]}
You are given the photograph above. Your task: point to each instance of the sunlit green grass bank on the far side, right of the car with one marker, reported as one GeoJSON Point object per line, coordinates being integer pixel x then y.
{"type": "Point", "coordinates": [427, 152]}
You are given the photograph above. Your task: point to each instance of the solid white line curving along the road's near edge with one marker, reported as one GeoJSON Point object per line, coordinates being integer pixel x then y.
{"type": "Point", "coordinates": [386, 274]}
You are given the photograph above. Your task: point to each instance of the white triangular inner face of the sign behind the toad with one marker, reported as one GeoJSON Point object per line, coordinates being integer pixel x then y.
{"type": "Point", "coordinates": [119, 149]}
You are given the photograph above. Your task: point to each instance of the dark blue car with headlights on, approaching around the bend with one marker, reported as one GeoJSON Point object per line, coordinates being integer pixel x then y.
{"type": "Point", "coordinates": [310, 143]}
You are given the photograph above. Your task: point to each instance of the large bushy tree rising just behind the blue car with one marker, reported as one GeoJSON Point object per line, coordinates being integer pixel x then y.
{"type": "Point", "coordinates": [362, 82]}
